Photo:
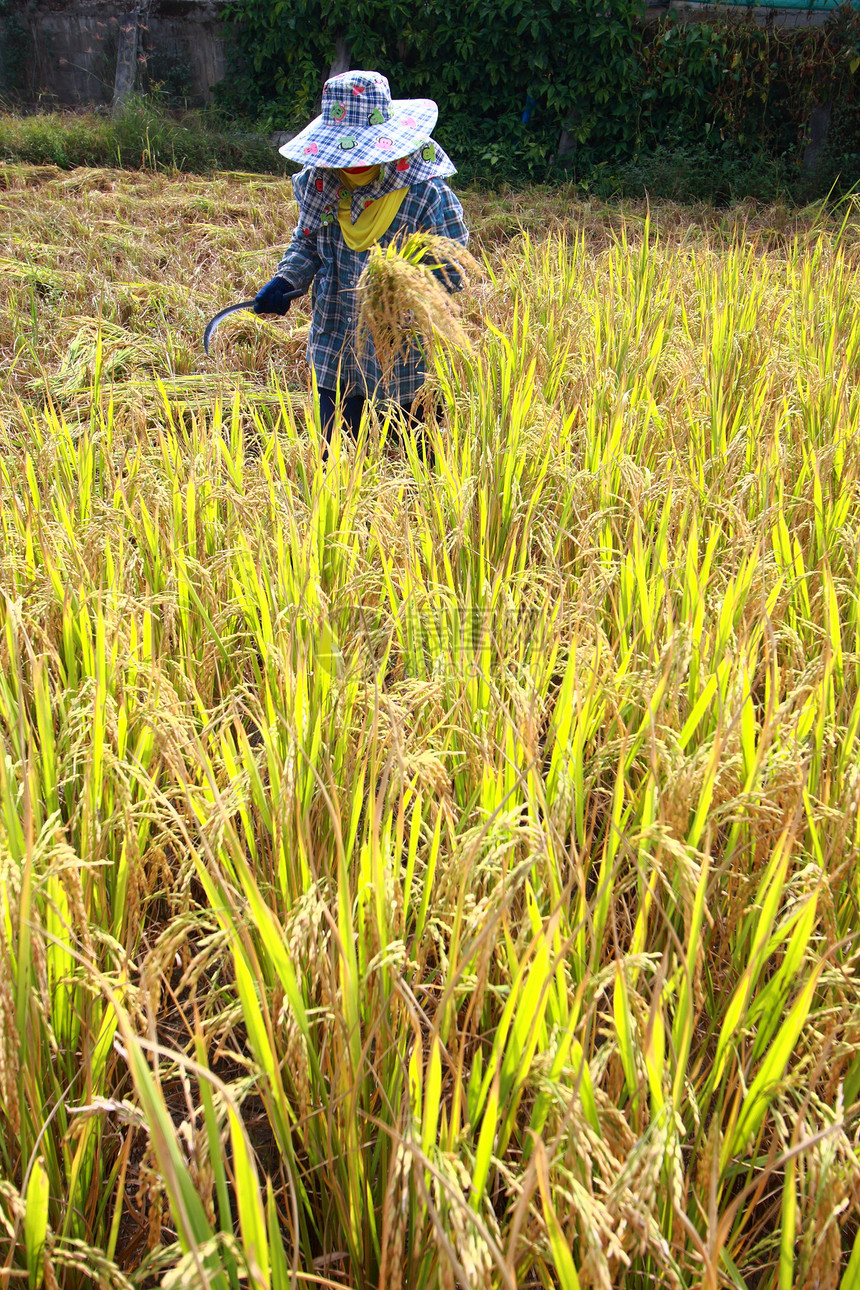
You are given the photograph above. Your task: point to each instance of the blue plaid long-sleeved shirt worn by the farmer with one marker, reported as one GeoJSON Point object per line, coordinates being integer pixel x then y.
{"type": "Point", "coordinates": [326, 260]}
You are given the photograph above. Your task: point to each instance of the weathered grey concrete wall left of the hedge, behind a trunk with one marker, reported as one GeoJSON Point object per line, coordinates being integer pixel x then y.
{"type": "Point", "coordinates": [66, 54]}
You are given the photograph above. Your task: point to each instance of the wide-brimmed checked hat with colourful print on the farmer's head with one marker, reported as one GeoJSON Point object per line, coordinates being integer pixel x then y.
{"type": "Point", "coordinates": [360, 124]}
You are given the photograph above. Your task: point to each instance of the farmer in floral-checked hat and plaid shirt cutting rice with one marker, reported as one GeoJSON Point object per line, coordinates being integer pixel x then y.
{"type": "Point", "coordinates": [372, 172]}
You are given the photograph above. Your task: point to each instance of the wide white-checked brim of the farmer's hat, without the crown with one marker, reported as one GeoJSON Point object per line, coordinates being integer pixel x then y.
{"type": "Point", "coordinates": [326, 144]}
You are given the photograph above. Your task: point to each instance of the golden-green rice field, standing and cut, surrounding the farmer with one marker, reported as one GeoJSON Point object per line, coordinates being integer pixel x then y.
{"type": "Point", "coordinates": [429, 878]}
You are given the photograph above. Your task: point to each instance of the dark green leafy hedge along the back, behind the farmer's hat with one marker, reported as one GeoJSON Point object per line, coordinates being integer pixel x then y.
{"type": "Point", "coordinates": [715, 109]}
